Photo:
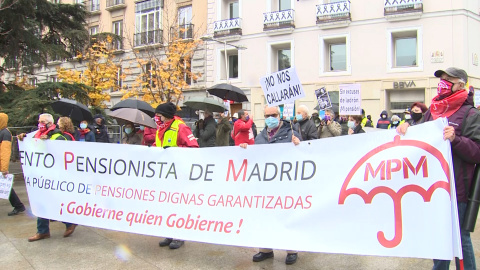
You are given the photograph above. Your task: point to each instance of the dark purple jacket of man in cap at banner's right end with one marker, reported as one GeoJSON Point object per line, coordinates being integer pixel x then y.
{"type": "Point", "coordinates": [465, 146]}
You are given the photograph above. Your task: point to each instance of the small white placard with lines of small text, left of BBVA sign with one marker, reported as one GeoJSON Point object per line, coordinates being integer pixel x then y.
{"type": "Point", "coordinates": [350, 99]}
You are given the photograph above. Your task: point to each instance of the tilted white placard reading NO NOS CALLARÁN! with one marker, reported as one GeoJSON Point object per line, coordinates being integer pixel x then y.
{"type": "Point", "coordinates": [282, 87]}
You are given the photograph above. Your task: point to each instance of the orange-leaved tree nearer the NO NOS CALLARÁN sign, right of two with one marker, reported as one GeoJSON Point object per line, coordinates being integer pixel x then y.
{"type": "Point", "coordinates": [164, 74]}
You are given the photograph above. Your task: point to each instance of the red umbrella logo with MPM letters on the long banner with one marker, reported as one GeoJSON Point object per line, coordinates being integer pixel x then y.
{"type": "Point", "coordinates": [384, 170]}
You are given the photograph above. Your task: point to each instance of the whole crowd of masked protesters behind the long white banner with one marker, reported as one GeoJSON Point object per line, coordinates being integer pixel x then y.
{"type": "Point", "coordinates": [239, 129]}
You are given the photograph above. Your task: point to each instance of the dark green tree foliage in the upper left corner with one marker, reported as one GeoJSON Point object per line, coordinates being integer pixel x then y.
{"type": "Point", "coordinates": [34, 31]}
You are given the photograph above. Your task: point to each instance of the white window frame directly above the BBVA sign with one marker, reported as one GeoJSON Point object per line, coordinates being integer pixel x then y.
{"type": "Point", "coordinates": [391, 33]}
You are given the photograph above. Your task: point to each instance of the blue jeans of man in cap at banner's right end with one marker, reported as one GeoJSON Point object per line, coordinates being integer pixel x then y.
{"type": "Point", "coordinates": [467, 247]}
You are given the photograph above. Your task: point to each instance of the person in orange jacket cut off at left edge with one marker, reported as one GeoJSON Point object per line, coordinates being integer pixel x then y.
{"type": "Point", "coordinates": [5, 153]}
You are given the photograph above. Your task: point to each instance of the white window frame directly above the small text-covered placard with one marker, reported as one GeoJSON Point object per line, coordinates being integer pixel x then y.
{"type": "Point", "coordinates": [324, 42]}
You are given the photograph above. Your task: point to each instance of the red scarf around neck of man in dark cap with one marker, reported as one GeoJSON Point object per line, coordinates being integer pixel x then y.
{"type": "Point", "coordinates": [449, 105]}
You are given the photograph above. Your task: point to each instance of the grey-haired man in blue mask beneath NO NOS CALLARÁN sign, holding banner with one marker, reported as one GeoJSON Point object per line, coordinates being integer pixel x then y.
{"type": "Point", "coordinates": [275, 131]}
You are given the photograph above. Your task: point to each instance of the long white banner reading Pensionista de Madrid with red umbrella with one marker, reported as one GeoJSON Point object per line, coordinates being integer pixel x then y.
{"type": "Point", "coordinates": [389, 195]}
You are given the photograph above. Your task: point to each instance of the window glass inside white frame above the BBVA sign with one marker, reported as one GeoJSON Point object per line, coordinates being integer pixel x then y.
{"type": "Point", "coordinates": [405, 51]}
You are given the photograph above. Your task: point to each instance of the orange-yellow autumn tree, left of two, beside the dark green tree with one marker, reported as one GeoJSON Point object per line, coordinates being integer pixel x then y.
{"type": "Point", "coordinates": [100, 74]}
